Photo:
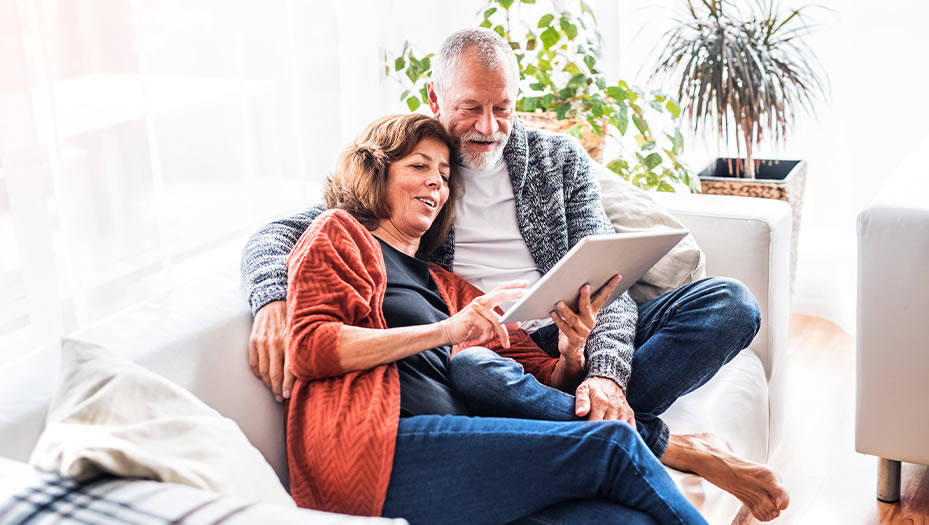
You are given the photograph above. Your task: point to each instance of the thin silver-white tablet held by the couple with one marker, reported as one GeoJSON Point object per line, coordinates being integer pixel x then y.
{"type": "Point", "coordinates": [594, 260]}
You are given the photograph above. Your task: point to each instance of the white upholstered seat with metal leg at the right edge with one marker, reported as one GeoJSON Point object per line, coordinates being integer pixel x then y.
{"type": "Point", "coordinates": [892, 421]}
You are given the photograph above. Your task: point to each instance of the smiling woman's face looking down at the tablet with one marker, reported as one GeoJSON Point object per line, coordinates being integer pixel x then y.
{"type": "Point", "coordinates": [417, 187]}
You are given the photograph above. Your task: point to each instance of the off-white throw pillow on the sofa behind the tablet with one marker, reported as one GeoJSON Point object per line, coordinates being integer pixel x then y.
{"type": "Point", "coordinates": [630, 208]}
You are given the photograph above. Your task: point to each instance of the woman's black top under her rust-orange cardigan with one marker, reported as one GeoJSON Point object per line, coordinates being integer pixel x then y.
{"type": "Point", "coordinates": [412, 298]}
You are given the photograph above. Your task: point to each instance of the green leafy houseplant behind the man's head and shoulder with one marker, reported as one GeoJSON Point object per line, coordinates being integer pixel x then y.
{"type": "Point", "coordinates": [562, 89]}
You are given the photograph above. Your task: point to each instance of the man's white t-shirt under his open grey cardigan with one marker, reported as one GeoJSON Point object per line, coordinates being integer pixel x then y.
{"type": "Point", "coordinates": [489, 248]}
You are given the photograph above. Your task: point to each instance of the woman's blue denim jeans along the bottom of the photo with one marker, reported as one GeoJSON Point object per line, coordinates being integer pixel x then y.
{"type": "Point", "coordinates": [473, 470]}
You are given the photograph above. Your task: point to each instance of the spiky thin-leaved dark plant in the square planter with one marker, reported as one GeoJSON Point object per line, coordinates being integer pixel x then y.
{"type": "Point", "coordinates": [741, 70]}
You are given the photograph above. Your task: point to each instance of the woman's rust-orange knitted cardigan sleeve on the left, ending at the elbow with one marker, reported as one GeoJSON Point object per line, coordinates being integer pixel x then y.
{"type": "Point", "coordinates": [335, 279]}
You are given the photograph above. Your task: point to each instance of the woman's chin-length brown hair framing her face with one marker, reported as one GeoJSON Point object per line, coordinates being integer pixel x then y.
{"type": "Point", "coordinates": [359, 184]}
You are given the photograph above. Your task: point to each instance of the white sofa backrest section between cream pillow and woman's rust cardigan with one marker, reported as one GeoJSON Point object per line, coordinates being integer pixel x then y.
{"type": "Point", "coordinates": [196, 335]}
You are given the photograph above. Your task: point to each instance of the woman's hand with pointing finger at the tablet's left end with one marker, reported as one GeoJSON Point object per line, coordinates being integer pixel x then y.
{"type": "Point", "coordinates": [478, 322]}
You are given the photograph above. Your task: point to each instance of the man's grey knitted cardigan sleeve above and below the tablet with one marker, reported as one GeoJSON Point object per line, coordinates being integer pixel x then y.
{"type": "Point", "coordinates": [610, 345]}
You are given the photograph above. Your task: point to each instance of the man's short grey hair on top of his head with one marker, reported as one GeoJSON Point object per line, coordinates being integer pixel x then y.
{"type": "Point", "coordinates": [493, 52]}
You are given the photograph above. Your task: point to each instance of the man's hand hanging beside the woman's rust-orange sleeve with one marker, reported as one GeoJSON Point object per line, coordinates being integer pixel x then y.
{"type": "Point", "coordinates": [267, 349]}
